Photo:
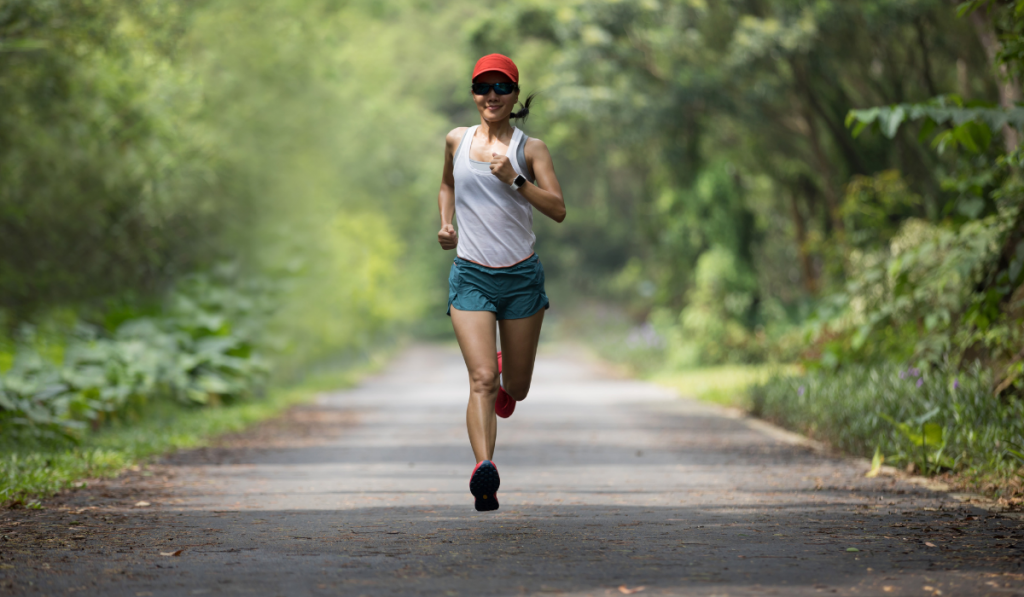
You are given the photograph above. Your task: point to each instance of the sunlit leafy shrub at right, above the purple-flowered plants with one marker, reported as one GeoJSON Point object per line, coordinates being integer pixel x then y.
{"type": "Point", "coordinates": [910, 303]}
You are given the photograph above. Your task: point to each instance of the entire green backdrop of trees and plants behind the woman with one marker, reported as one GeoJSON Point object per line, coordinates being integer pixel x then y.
{"type": "Point", "coordinates": [200, 201]}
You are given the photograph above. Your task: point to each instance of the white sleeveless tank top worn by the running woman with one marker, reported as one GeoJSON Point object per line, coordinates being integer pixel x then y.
{"type": "Point", "coordinates": [496, 224]}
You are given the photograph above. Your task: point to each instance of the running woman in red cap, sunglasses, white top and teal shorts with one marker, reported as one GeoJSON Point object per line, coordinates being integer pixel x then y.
{"type": "Point", "coordinates": [496, 276]}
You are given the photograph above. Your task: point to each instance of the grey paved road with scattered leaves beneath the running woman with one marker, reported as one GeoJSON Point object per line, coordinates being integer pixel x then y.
{"type": "Point", "coordinates": [609, 486]}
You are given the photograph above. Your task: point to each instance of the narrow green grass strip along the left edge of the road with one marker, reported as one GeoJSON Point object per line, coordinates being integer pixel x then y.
{"type": "Point", "coordinates": [37, 470]}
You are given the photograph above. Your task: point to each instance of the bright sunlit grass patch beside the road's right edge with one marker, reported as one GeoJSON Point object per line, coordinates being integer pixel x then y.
{"type": "Point", "coordinates": [727, 386]}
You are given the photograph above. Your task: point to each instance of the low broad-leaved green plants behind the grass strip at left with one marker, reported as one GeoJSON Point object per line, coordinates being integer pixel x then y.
{"type": "Point", "coordinates": [199, 352]}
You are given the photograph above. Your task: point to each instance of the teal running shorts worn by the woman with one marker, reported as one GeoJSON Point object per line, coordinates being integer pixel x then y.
{"type": "Point", "coordinates": [510, 293]}
